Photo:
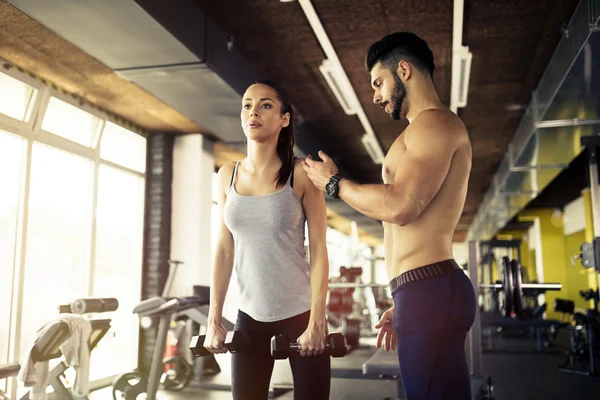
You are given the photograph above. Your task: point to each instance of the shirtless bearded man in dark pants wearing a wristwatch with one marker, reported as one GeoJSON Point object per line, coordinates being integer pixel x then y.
{"type": "Point", "coordinates": [425, 175]}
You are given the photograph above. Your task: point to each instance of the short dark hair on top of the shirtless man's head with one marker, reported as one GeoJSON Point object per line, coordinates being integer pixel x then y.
{"type": "Point", "coordinates": [401, 46]}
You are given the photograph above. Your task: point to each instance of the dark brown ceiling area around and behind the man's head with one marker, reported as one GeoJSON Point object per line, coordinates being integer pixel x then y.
{"type": "Point", "coordinates": [511, 41]}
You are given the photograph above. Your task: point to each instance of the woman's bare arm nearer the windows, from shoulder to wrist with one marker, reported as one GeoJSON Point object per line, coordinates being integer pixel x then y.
{"type": "Point", "coordinates": [223, 261]}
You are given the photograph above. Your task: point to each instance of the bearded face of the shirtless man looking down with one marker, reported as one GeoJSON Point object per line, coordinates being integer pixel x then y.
{"type": "Point", "coordinates": [390, 92]}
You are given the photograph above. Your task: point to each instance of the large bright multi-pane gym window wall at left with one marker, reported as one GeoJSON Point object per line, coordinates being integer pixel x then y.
{"type": "Point", "coordinates": [71, 219]}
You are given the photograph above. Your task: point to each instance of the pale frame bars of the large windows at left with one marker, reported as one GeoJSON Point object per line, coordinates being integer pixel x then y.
{"type": "Point", "coordinates": [32, 132]}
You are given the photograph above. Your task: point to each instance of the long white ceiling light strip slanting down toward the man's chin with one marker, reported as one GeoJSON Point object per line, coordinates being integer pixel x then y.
{"type": "Point", "coordinates": [369, 139]}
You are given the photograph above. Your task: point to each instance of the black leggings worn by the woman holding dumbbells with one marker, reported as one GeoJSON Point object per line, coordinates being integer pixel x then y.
{"type": "Point", "coordinates": [251, 370]}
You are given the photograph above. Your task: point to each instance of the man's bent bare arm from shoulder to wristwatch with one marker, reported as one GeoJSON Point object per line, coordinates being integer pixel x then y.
{"type": "Point", "coordinates": [419, 175]}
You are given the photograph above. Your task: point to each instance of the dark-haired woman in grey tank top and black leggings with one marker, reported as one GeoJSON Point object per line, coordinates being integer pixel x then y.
{"type": "Point", "coordinates": [265, 200]}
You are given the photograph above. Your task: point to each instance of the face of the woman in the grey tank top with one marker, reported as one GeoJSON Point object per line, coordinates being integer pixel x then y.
{"type": "Point", "coordinates": [261, 113]}
